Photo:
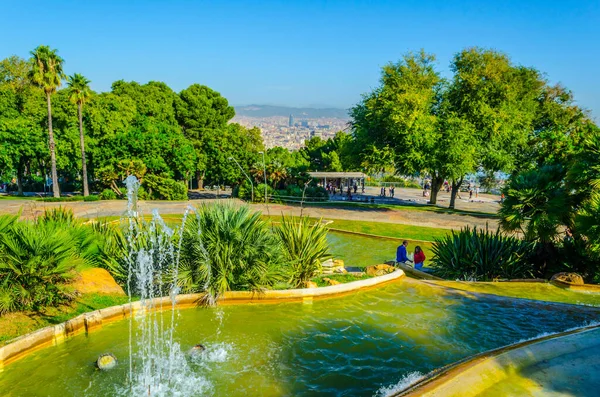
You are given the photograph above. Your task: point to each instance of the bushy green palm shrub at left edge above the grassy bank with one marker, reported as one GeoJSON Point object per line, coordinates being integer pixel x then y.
{"type": "Point", "coordinates": [37, 261]}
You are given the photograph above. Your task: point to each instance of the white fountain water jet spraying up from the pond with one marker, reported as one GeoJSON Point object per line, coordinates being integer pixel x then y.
{"type": "Point", "coordinates": [157, 365]}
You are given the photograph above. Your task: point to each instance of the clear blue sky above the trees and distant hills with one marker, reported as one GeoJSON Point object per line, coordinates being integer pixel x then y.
{"type": "Point", "coordinates": [300, 53]}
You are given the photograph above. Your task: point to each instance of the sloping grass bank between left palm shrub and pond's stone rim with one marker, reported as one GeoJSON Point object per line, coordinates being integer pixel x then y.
{"type": "Point", "coordinates": [13, 325]}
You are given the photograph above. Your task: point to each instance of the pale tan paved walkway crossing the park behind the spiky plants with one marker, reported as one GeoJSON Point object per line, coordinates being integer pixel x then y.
{"type": "Point", "coordinates": [117, 207]}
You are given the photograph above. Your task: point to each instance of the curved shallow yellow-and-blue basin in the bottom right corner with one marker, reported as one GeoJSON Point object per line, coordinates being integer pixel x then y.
{"type": "Point", "coordinates": [567, 362]}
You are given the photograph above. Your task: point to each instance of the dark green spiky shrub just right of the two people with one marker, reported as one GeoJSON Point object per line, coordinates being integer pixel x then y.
{"type": "Point", "coordinates": [473, 254]}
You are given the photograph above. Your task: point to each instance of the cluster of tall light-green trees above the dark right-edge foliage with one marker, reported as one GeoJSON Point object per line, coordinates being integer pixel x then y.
{"type": "Point", "coordinates": [491, 115]}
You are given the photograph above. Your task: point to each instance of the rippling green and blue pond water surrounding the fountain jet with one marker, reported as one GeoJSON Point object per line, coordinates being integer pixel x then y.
{"type": "Point", "coordinates": [364, 344]}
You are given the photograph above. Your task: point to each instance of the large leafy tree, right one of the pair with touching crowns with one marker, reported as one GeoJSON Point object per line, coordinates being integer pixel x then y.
{"type": "Point", "coordinates": [494, 103]}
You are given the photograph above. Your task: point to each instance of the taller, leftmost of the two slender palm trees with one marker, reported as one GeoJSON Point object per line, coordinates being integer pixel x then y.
{"type": "Point", "coordinates": [47, 73]}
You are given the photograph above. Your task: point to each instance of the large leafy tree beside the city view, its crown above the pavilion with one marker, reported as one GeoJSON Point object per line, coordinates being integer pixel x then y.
{"type": "Point", "coordinates": [400, 119]}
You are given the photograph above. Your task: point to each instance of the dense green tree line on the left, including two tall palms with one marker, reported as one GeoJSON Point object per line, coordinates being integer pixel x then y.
{"type": "Point", "coordinates": [73, 133]}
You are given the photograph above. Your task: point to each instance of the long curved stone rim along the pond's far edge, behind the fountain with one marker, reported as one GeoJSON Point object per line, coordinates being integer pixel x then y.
{"type": "Point", "coordinates": [93, 321]}
